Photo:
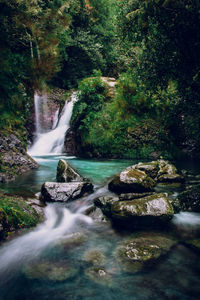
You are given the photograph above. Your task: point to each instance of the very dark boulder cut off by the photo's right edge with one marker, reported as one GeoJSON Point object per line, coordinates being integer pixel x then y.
{"type": "Point", "coordinates": [189, 200]}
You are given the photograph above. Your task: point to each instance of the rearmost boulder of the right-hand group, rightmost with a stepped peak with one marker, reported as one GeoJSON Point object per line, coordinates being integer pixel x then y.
{"type": "Point", "coordinates": [168, 173]}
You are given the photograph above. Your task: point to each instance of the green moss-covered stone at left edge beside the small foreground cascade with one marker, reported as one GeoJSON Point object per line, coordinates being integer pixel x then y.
{"type": "Point", "coordinates": [16, 213]}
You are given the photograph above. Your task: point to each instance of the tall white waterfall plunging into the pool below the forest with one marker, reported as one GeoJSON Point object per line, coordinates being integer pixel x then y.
{"type": "Point", "coordinates": [52, 142]}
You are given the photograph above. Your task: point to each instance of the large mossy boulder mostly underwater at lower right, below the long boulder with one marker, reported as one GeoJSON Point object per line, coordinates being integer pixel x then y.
{"type": "Point", "coordinates": [137, 252]}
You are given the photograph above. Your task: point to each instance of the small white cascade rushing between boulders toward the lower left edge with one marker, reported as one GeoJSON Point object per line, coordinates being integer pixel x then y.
{"type": "Point", "coordinates": [58, 224]}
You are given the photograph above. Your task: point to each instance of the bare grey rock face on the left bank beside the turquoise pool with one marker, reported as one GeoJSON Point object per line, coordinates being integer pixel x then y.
{"type": "Point", "coordinates": [13, 158]}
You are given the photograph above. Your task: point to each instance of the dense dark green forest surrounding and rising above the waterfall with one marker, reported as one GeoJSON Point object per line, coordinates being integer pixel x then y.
{"type": "Point", "coordinates": [152, 49]}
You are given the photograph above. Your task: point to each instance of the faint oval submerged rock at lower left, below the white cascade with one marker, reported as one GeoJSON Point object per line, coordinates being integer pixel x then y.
{"type": "Point", "coordinates": [51, 271]}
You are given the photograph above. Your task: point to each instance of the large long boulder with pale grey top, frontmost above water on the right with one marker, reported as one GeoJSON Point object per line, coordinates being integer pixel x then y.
{"type": "Point", "coordinates": [151, 209]}
